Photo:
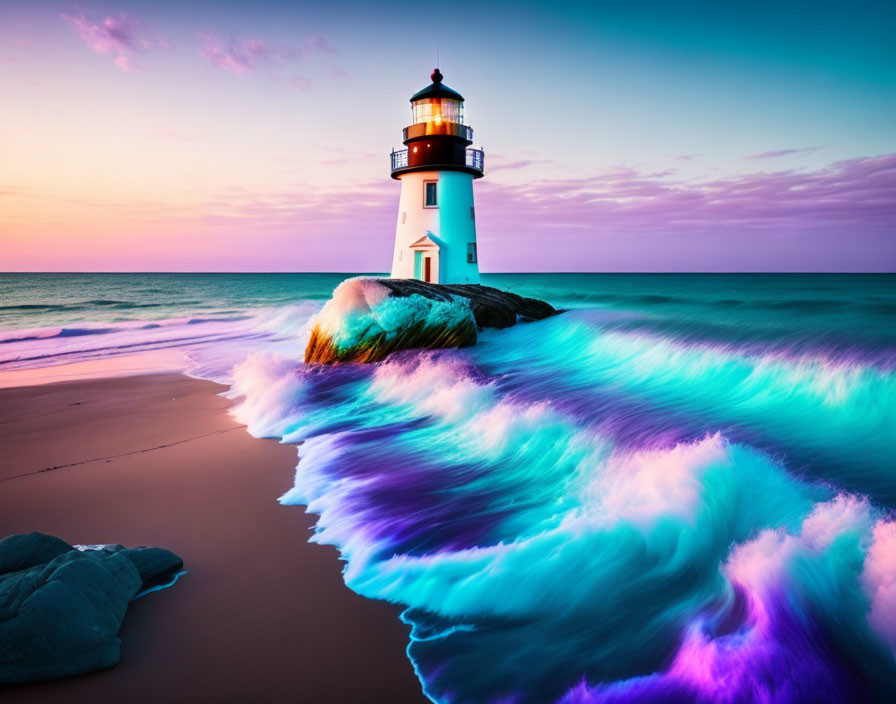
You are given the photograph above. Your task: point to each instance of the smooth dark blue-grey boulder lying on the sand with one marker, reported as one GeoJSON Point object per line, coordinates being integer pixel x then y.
{"type": "Point", "coordinates": [61, 608]}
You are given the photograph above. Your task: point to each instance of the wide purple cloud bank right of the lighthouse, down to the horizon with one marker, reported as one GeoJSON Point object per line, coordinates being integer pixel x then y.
{"type": "Point", "coordinates": [837, 218]}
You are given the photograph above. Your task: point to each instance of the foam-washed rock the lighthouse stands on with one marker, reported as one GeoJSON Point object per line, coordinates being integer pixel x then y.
{"type": "Point", "coordinates": [367, 319]}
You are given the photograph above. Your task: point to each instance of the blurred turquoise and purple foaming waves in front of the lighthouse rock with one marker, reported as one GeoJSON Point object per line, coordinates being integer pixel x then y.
{"type": "Point", "coordinates": [579, 514]}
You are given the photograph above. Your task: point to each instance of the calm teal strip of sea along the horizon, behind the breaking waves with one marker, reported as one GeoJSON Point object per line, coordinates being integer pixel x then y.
{"type": "Point", "coordinates": [836, 309]}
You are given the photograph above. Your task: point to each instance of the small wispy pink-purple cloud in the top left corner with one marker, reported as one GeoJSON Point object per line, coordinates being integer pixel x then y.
{"type": "Point", "coordinates": [121, 35]}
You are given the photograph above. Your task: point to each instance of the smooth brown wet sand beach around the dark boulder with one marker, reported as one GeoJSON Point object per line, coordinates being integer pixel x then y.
{"type": "Point", "coordinates": [262, 615]}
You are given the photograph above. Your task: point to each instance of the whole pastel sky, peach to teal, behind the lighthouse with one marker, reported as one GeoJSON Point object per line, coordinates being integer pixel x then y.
{"type": "Point", "coordinates": [232, 136]}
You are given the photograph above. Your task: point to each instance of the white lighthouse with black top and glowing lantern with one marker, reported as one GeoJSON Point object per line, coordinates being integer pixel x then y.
{"type": "Point", "coordinates": [435, 238]}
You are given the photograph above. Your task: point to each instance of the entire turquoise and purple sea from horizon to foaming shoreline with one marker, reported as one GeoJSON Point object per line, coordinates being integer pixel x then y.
{"type": "Point", "coordinates": [680, 489]}
